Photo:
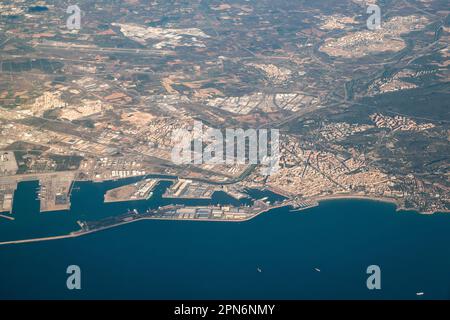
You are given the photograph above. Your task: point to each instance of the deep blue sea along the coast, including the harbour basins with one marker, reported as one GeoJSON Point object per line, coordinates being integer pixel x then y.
{"type": "Point", "coordinates": [215, 260]}
